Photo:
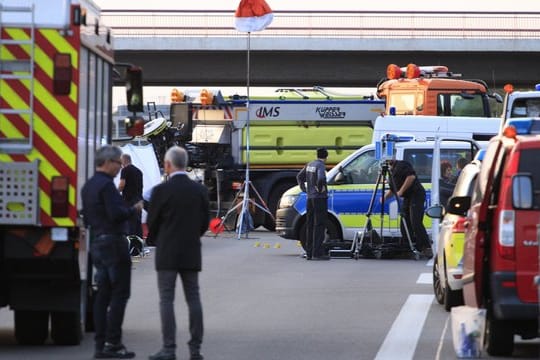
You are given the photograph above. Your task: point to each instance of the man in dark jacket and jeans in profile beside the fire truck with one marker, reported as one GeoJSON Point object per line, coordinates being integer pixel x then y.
{"type": "Point", "coordinates": [105, 213]}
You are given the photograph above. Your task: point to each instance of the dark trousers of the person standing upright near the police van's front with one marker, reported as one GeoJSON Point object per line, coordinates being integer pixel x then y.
{"type": "Point", "coordinates": [316, 226]}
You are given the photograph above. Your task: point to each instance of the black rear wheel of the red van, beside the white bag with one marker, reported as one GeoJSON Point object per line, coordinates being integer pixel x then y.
{"type": "Point", "coordinates": [499, 337]}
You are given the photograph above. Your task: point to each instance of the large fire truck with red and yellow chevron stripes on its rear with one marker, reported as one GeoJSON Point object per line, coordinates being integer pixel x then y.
{"type": "Point", "coordinates": [56, 78]}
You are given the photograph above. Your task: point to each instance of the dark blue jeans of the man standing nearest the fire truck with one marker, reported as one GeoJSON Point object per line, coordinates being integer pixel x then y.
{"type": "Point", "coordinates": [110, 254]}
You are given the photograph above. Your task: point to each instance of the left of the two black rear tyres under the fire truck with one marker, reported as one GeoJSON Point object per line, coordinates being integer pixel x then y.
{"type": "Point", "coordinates": [31, 327]}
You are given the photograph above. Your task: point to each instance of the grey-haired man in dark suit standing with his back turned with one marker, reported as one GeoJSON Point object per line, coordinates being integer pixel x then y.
{"type": "Point", "coordinates": [177, 217]}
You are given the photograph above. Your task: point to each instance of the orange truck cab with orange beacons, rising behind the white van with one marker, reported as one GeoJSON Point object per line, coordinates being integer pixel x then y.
{"type": "Point", "coordinates": [433, 90]}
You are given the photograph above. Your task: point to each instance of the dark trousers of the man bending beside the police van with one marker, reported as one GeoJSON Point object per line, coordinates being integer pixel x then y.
{"type": "Point", "coordinates": [413, 213]}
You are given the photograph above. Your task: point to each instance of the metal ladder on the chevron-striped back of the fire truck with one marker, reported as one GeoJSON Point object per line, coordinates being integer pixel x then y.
{"type": "Point", "coordinates": [15, 70]}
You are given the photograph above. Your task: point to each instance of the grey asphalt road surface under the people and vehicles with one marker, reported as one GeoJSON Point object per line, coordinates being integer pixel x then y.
{"type": "Point", "coordinates": [263, 301]}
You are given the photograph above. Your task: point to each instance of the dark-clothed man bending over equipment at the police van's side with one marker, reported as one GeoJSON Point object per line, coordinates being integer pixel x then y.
{"type": "Point", "coordinates": [411, 190]}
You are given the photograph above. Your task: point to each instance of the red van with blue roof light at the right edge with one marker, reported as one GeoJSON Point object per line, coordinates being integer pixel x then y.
{"type": "Point", "coordinates": [500, 257]}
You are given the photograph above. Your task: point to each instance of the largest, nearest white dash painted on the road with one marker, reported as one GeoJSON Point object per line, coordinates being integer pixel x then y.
{"type": "Point", "coordinates": [401, 340]}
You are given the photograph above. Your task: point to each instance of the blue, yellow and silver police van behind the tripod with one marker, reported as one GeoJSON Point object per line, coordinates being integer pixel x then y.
{"type": "Point", "coordinates": [354, 189]}
